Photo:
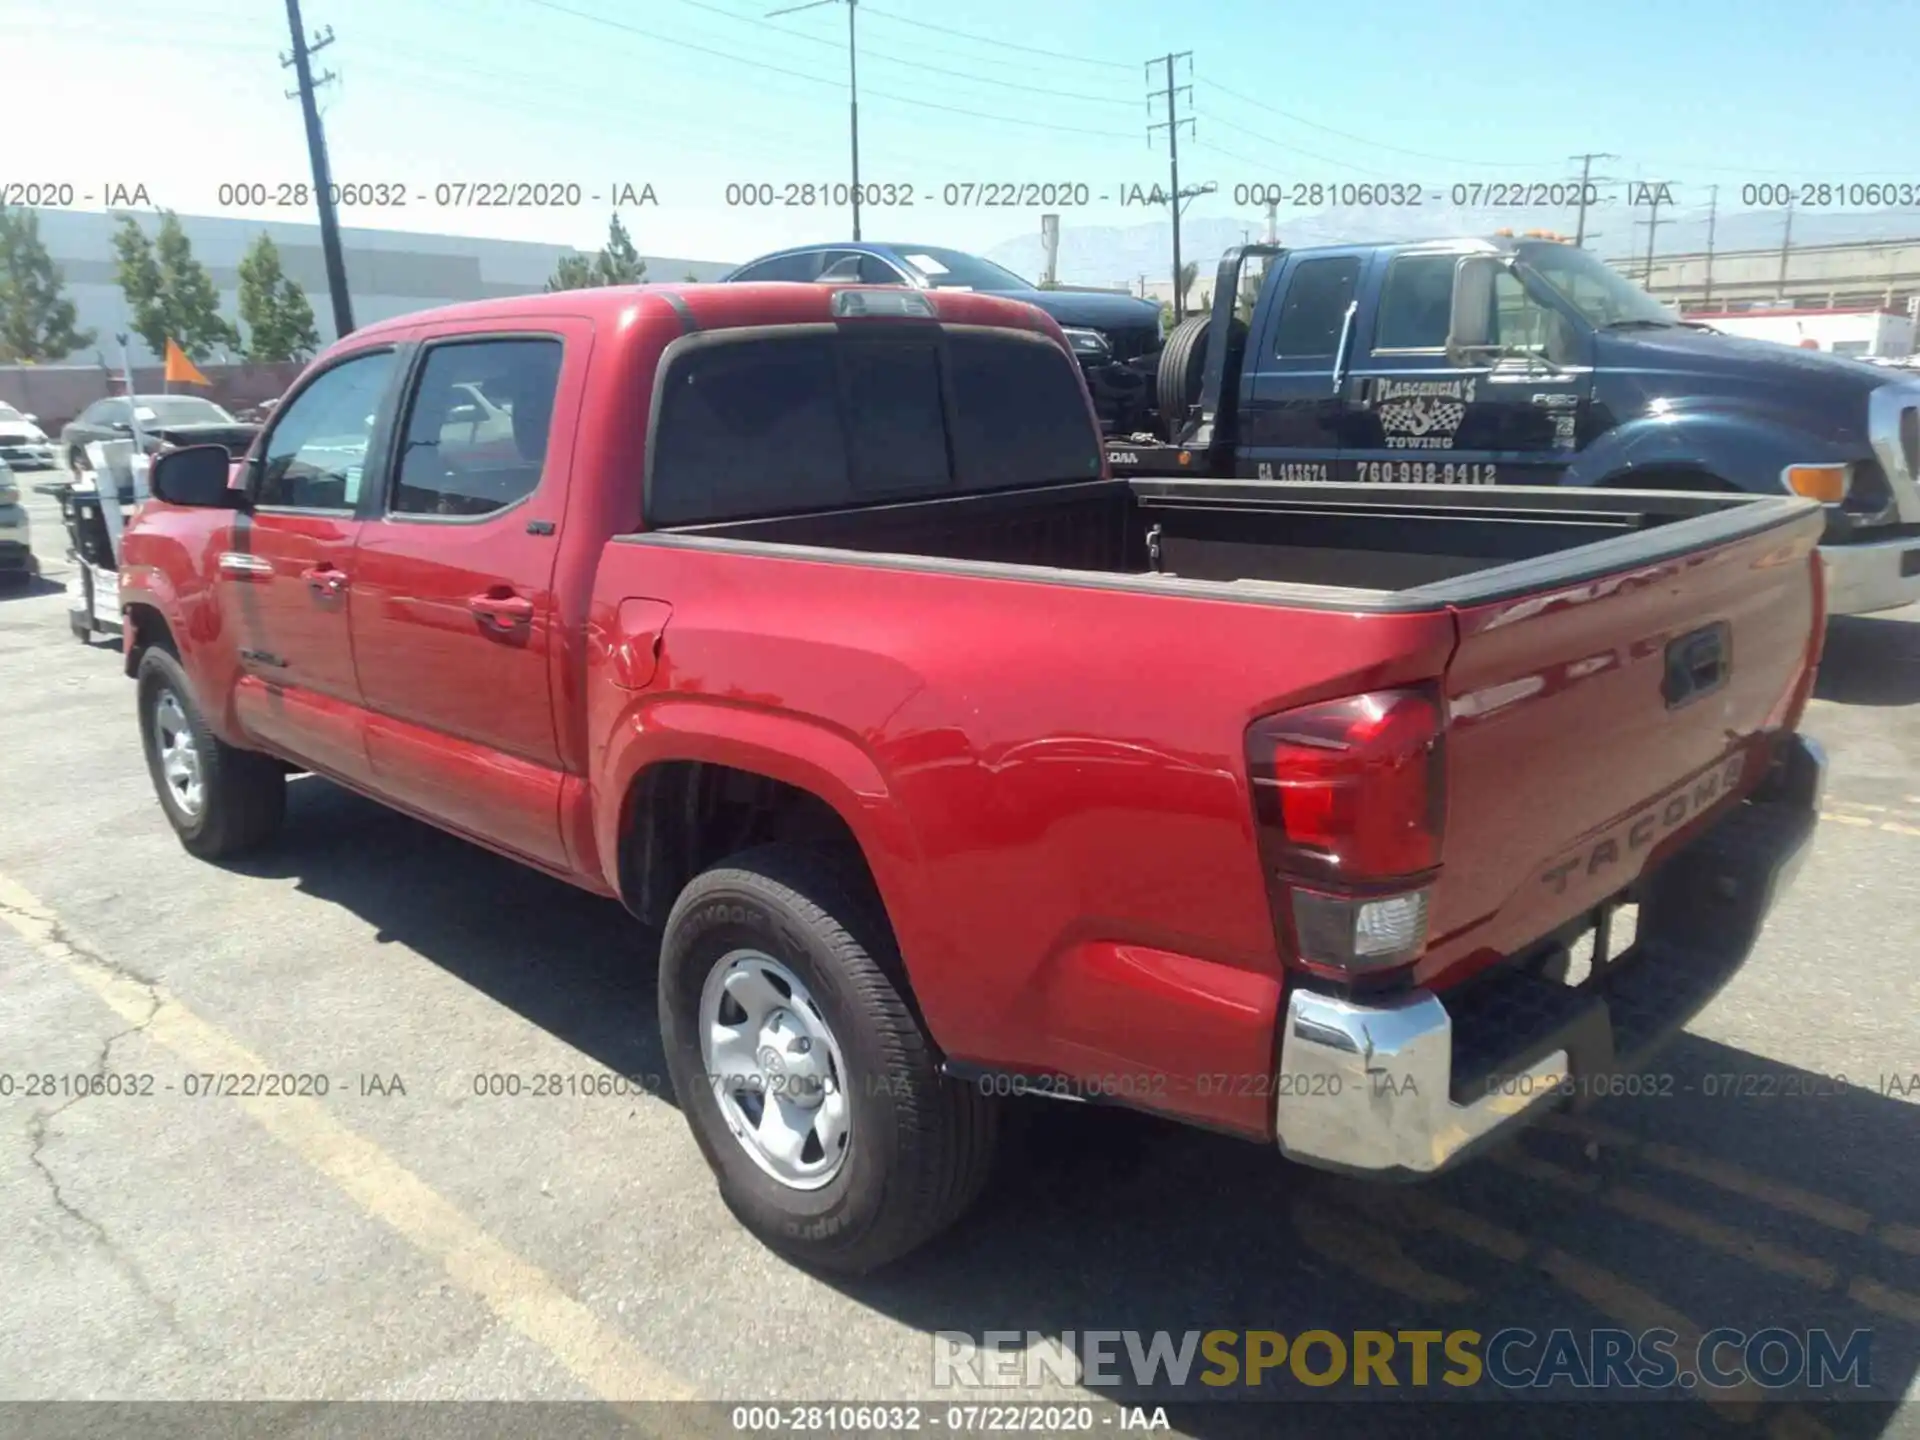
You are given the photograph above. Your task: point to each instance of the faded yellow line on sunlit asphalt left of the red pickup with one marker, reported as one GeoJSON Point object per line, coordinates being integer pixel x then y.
{"type": "Point", "coordinates": [517, 1291]}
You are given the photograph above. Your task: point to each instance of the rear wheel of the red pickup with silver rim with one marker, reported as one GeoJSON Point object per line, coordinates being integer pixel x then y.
{"type": "Point", "coordinates": [811, 1088]}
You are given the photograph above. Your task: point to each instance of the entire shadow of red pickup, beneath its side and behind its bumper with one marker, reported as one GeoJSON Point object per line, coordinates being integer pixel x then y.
{"type": "Point", "coordinates": [1740, 1193]}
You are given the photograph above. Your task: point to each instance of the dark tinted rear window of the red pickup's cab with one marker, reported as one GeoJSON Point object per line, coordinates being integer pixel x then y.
{"type": "Point", "coordinates": [805, 423]}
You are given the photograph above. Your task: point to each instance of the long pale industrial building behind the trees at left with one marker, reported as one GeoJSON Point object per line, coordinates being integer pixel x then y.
{"type": "Point", "coordinates": [389, 272]}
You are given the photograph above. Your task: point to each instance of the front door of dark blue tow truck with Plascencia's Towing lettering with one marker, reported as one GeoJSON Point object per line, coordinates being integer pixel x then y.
{"type": "Point", "coordinates": [1512, 416]}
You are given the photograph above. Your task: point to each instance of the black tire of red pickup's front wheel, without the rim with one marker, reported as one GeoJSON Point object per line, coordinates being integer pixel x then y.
{"type": "Point", "coordinates": [243, 792]}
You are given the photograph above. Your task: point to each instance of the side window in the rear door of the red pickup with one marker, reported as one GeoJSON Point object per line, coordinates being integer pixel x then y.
{"type": "Point", "coordinates": [477, 429]}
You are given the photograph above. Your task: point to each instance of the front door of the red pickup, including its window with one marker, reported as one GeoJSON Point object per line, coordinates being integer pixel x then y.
{"type": "Point", "coordinates": [285, 581]}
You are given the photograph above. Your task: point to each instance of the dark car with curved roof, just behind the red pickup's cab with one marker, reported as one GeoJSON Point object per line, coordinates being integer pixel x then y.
{"type": "Point", "coordinates": [1116, 339]}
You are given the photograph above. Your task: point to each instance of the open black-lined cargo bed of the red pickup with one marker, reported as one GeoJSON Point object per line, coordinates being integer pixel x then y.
{"type": "Point", "coordinates": [1376, 546]}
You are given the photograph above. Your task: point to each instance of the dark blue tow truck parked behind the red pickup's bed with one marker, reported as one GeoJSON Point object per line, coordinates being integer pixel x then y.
{"type": "Point", "coordinates": [1529, 364]}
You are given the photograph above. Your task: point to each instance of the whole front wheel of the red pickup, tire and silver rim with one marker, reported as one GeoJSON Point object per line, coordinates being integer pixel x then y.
{"type": "Point", "coordinates": [220, 800]}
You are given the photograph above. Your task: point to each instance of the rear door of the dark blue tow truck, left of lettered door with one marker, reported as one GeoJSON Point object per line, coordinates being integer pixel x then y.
{"type": "Point", "coordinates": [1289, 402]}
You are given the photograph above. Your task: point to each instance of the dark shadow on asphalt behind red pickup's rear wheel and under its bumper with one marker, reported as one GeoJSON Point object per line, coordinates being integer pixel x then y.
{"type": "Point", "coordinates": [1742, 1195]}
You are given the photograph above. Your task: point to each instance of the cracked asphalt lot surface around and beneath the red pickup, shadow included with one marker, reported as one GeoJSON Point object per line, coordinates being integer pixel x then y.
{"type": "Point", "coordinates": [406, 1237]}
